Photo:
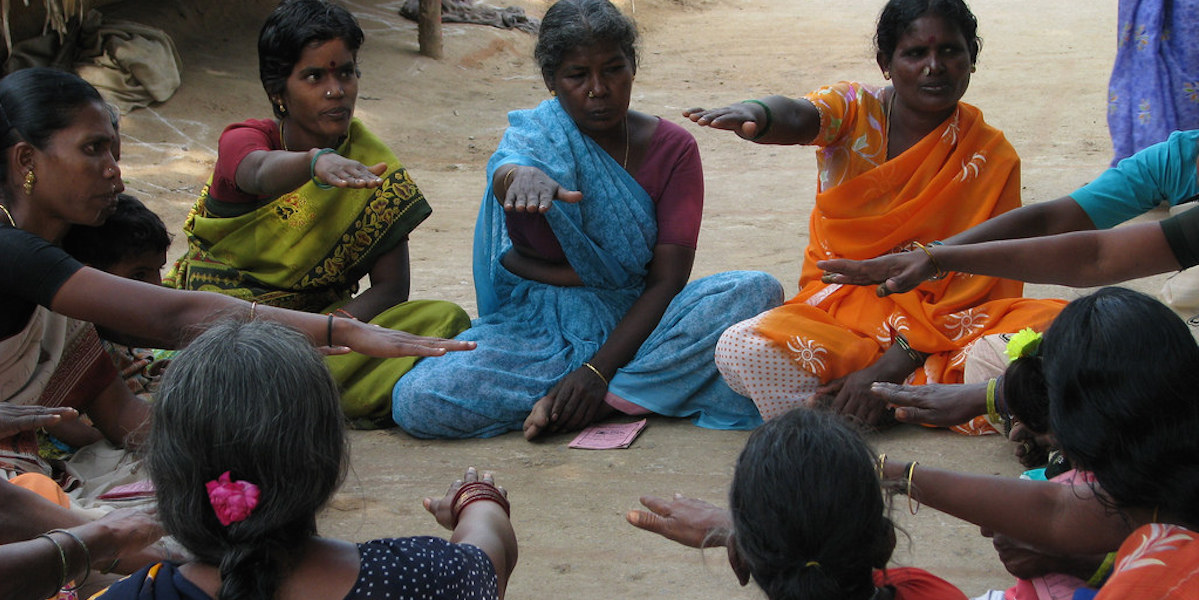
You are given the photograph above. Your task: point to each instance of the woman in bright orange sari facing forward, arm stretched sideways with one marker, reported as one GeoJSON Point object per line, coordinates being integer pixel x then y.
{"type": "Point", "coordinates": [901, 167]}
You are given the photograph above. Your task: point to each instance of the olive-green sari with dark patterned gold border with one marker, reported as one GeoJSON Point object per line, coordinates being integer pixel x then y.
{"type": "Point", "coordinates": [306, 250]}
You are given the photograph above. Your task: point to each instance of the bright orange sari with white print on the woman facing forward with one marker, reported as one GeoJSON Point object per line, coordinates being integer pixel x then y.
{"type": "Point", "coordinates": [960, 176]}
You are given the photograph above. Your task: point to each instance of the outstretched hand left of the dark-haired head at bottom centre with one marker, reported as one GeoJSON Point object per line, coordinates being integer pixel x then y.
{"type": "Point", "coordinates": [685, 520]}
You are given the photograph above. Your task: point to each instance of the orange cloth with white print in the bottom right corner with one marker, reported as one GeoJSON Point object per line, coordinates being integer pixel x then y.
{"type": "Point", "coordinates": [1158, 562]}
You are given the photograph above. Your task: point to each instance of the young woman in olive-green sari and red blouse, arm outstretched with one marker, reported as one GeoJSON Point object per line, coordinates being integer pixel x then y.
{"type": "Point", "coordinates": [302, 207]}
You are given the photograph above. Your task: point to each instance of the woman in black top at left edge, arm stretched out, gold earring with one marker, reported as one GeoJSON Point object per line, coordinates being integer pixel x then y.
{"type": "Point", "coordinates": [58, 170]}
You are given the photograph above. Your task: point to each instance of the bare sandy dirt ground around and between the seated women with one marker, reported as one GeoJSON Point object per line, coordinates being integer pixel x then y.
{"type": "Point", "coordinates": [1043, 79]}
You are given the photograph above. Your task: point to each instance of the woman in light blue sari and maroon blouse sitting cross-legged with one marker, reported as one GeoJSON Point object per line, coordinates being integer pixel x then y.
{"type": "Point", "coordinates": [583, 251]}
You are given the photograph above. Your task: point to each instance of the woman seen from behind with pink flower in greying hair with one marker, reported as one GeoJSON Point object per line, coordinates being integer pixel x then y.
{"type": "Point", "coordinates": [244, 464]}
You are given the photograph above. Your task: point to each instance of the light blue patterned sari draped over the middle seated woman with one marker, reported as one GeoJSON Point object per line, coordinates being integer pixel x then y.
{"type": "Point", "coordinates": [532, 335]}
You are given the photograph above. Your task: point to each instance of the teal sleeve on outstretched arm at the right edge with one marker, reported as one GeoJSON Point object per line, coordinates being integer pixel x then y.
{"type": "Point", "coordinates": [1164, 172]}
